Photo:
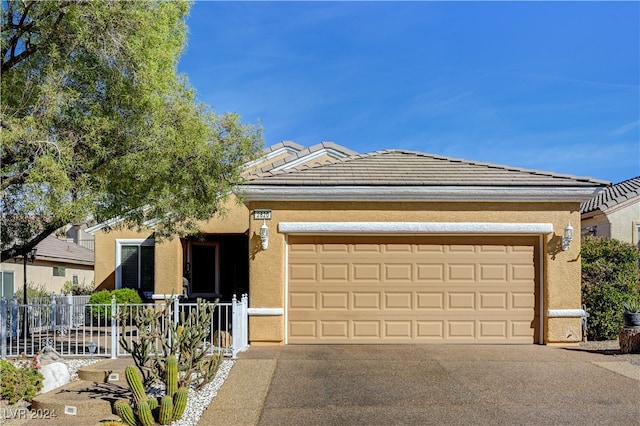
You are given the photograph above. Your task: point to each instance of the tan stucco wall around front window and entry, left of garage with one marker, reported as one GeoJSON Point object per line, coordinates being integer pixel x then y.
{"type": "Point", "coordinates": [234, 219]}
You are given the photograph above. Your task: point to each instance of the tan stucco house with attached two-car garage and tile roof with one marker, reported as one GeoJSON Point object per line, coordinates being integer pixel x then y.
{"type": "Point", "coordinates": [388, 247]}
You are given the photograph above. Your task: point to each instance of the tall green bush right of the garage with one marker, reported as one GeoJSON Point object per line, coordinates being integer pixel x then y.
{"type": "Point", "coordinates": [609, 278]}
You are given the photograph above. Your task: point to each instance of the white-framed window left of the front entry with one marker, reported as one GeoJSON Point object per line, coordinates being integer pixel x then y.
{"type": "Point", "coordinates": [135, 260]}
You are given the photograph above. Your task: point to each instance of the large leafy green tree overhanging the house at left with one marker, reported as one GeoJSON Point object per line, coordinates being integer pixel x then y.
{"type": "Point", "coordinates": [97, 122]}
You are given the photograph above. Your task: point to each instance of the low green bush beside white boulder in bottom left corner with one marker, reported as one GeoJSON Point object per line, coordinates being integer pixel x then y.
{"type": "Point", "coordinates": [19, 381]}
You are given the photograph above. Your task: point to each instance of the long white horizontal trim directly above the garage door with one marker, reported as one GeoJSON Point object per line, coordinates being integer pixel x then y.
{"type": "Point", "coordinates": [338, 228]}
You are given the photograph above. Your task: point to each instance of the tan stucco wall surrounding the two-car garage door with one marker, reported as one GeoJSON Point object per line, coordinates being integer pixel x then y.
{"type": "Point", "coordinates": [561, 273]}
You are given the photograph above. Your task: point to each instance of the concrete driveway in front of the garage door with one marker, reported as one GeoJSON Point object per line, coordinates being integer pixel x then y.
{"type": "Point", "coordinates": [427, 384]}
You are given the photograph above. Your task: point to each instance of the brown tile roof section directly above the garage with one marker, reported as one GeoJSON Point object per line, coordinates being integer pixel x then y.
{"type": "Point", "coordinates": [409, 168]}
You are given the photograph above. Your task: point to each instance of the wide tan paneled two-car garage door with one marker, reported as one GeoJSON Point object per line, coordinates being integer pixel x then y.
{"type": "Point", "coordinates": [411, 290]}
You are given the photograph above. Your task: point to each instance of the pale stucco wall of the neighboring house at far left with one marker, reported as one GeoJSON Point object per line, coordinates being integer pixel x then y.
{"type": "Point", "coordinates": [40, 273]}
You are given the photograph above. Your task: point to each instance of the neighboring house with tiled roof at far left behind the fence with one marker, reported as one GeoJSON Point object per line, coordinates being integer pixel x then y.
{"type": "Point", "coordinates": [56, 262]}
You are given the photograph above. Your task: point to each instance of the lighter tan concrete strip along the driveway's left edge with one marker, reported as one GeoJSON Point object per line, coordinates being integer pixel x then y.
{"type": "Point", "coordinates": [241, 397]}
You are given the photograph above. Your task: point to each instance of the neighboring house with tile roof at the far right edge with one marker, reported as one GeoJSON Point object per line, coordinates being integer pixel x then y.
{"type": "Point", "coordinates": [614, 212]}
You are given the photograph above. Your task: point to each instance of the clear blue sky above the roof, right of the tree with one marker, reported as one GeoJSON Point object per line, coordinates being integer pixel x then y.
{"type": "Point", "coordinates": [540, 85]}
